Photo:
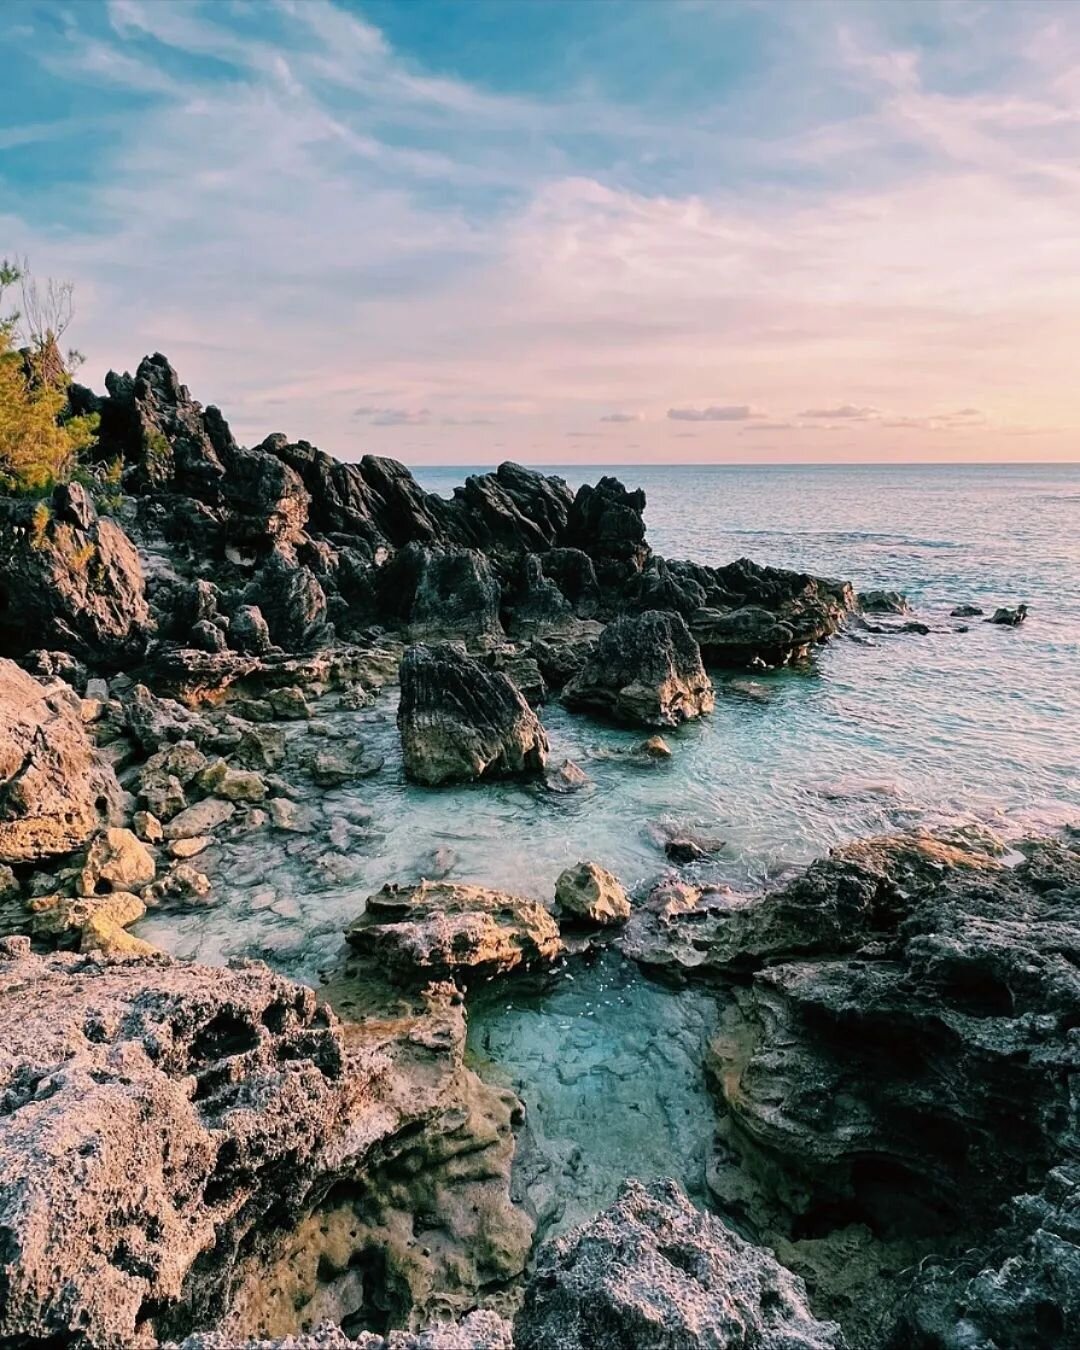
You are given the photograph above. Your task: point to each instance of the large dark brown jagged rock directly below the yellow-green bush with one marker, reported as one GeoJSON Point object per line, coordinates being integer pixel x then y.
{"type": "Point", "coordinates": [78, 588]}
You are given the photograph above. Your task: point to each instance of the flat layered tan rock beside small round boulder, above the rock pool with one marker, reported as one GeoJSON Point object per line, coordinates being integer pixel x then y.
{"type": "Point", "coordinates": [441, 929]}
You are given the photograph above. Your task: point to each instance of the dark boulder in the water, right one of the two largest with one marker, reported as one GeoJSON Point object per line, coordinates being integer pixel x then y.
{"type": "Point", "coordinates": [647, 672]}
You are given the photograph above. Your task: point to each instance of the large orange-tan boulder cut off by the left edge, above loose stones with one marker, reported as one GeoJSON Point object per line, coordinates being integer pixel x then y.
{"type": "Point", "coordinates": [56, 790]}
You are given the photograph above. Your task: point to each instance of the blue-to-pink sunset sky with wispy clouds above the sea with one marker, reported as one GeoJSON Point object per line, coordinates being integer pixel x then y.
{"type": "Point", "coordinates": [568, 232]}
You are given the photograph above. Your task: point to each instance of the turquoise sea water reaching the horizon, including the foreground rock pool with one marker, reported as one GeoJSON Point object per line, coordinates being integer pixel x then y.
{"type": "Point", "coordinates": [981, 724]}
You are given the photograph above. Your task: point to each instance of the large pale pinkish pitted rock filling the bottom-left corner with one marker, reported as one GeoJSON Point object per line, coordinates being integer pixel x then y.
{"type": "Point", "coordinates": [130, 1147]}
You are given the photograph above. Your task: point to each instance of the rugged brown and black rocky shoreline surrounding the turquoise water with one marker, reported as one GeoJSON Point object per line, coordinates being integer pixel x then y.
{"type": "Point", "coordinates": [215, 1158]}
